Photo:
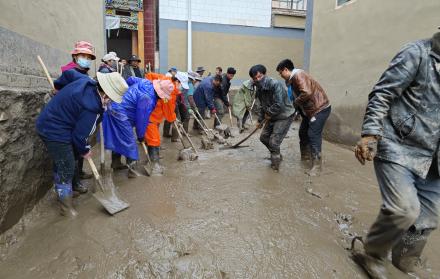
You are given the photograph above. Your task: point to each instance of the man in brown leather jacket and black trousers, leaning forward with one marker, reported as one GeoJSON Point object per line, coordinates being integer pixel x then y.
{"type": "Point", "coordinates": [313, 103]}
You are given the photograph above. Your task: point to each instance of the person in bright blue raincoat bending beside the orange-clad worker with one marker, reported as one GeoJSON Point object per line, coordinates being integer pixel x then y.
{"type": "Point", "coordinates": [119, 119]}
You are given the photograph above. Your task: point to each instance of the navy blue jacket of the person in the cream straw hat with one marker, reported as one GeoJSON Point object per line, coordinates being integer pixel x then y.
{"type": "Point", "coordinates": [72, 114]}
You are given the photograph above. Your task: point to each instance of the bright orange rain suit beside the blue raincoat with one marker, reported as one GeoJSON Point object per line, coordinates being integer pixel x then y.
{"type": "Point", "coordinates": [163, 110]}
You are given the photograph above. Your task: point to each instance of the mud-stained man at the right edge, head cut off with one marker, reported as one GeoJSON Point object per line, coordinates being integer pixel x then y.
{"type": "Point", "coordinates": [402, 122]}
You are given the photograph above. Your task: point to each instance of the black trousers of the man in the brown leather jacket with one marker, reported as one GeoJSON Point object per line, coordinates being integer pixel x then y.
{"type": "Point", "coordinates": [310, 130]}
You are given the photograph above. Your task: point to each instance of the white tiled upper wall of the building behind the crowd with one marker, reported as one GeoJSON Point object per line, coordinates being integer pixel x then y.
{"type": "Point", "coordinates": [235, 12]}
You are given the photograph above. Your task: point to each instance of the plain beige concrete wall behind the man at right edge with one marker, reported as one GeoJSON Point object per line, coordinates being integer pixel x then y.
{"type": "Point", "coordinates": [352, 45]}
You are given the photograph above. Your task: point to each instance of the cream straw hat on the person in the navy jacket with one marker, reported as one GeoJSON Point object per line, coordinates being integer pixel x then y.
{"type": "Point", "coordinates": [113, 85]}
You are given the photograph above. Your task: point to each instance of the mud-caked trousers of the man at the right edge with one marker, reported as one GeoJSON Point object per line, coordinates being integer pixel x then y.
{"type": "Point", "coordinates": [409, 212]}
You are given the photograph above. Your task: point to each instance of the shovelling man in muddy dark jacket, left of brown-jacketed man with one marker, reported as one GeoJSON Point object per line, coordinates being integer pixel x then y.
{"type": "Point", "coordinates": [276, 110]}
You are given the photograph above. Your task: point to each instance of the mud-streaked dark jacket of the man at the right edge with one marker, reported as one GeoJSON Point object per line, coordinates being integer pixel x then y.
{"type": "Point", "coordinates": [404, 108]}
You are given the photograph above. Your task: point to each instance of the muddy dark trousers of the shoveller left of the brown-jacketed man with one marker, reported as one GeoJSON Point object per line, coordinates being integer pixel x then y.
{"type": "Point", "coordinates": [274, 133]}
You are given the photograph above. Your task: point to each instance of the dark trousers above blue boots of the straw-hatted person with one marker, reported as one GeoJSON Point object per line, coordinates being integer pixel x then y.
{"type": "Point", "coordinates": [64, 164]}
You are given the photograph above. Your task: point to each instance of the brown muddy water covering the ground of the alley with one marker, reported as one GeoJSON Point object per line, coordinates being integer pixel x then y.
{"type": "Point", "coordinates": [226, 215]}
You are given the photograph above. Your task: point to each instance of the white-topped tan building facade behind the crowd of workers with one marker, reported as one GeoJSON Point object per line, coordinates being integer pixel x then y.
{"type": "Point", "coordinates": [227, 33]}
